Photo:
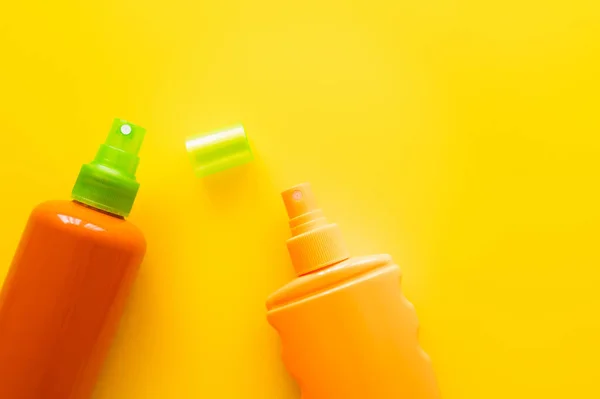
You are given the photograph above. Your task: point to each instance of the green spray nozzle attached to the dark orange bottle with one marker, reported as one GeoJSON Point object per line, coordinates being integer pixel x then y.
{"type": "Point", "coordinates": [108, 182]}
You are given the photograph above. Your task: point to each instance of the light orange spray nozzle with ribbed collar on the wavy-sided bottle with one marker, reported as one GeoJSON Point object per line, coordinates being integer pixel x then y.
{"type": "Point", "coordinates": [315, 243]}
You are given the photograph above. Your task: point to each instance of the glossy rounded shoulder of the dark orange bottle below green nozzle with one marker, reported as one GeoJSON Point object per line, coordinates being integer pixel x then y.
{"type": "Point", "coordinates": [79, 220]}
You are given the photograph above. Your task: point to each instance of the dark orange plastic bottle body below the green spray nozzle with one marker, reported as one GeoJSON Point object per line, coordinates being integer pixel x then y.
{"type": "Point", "coordinates": [62, 300]}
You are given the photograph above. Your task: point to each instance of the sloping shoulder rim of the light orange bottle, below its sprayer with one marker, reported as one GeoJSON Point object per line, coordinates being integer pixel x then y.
{"type": "Point", "coordinates": [328, 277]}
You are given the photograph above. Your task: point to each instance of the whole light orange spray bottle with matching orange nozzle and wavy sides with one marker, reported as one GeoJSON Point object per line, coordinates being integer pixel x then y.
{"type": "Point", "coordinates": [347, 331]}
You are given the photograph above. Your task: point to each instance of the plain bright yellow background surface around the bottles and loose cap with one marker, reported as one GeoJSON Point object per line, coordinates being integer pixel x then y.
{"type": "Point", "coordinates": [462, 137]}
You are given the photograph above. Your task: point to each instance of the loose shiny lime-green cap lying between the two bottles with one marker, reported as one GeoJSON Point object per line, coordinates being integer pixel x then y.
{"type": "Point", "coordinates": [216, 151]}
